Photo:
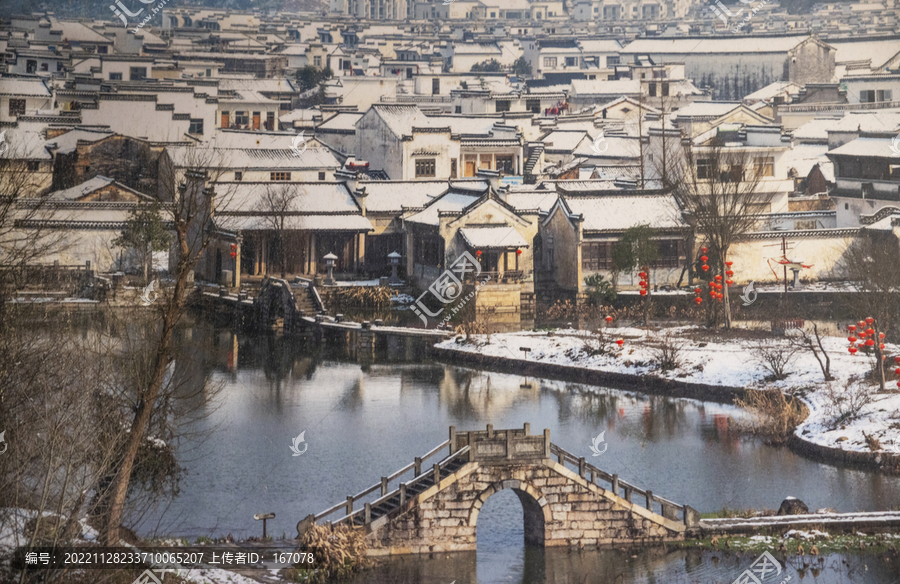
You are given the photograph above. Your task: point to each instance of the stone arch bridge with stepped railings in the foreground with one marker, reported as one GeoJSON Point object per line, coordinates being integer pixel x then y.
{"type": "Point", "coordinates": [437, 509]}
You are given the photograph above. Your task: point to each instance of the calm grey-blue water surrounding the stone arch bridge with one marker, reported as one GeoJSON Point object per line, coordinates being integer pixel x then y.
{"type": "Point", "coordinates": [361, 422]}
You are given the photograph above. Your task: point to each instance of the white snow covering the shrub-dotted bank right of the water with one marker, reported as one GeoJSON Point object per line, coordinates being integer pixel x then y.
{"type": "Point", "coordinates": [727, 363]}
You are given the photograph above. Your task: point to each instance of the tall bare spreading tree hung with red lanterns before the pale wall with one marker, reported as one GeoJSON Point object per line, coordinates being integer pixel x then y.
{"type": "Point", "coordinates": [717, 186]}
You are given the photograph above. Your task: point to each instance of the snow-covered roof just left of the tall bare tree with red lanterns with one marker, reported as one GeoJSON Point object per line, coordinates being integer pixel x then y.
{"type": "Point", "coordinates": [619, 212]}
